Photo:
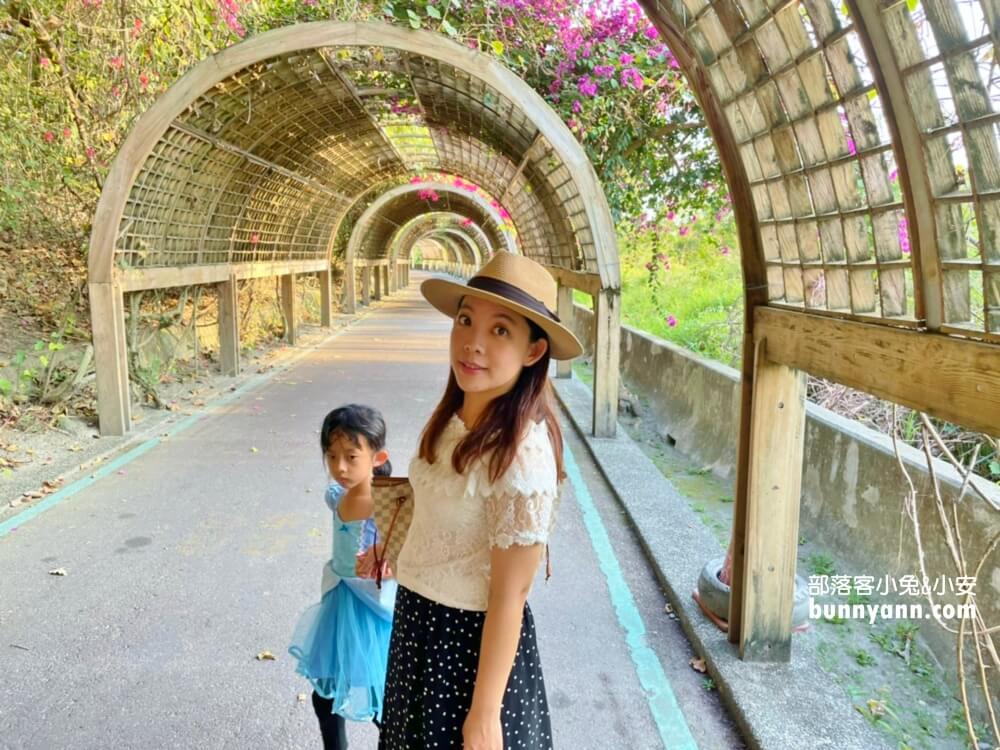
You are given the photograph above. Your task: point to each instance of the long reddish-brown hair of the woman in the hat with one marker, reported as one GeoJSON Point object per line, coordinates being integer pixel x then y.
{"type": "Point", "coordinates": [501, 427]}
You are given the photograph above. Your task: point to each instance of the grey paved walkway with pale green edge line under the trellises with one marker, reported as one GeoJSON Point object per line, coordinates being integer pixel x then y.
{"type": "Point", "coordinates": [191, 559]}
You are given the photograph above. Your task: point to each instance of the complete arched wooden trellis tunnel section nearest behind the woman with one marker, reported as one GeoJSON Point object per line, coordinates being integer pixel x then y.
{"type": "Point", "coordinates": [248, 165]}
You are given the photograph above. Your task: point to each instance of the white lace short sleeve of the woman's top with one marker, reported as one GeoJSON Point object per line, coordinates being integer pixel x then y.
{"type": "Point", "coordinates": [521, 506]}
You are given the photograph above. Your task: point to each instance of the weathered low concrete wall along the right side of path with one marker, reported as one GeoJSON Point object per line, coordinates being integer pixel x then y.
{"type": "Point", "coordinates": [852, 491]}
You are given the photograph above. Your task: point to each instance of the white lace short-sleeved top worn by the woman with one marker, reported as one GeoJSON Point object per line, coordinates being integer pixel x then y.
{"type": "Point", "coordinates": [458, 518]}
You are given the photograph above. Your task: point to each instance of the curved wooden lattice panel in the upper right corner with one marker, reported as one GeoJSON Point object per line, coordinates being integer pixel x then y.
{"type": "Point", "coordinates": [834, 207]}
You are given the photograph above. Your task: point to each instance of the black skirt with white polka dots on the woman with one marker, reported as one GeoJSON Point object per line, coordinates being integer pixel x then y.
{"type": "Point", "coordinates": [433, 659]}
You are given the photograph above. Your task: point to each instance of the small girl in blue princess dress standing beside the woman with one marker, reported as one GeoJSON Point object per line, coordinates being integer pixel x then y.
{"type": "Point", "coordinates": [342, 643]}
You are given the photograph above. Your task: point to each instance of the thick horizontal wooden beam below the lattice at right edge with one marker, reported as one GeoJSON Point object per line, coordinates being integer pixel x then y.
{"type": "Point", "coordinates": [954, 379]}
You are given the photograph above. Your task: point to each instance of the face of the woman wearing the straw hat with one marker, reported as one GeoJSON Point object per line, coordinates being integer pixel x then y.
{"type": "Point", "coordinates": [490, 344]}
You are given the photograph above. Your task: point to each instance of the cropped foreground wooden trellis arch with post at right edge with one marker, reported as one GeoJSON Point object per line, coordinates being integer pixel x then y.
{"type": "Point", "coordinates": [860, 141]}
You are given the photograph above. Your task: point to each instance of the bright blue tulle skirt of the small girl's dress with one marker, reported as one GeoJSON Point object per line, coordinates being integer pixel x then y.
{"type": "Point", "coordinates": [342, 646]}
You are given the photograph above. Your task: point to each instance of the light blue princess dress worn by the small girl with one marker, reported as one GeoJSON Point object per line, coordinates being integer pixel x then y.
{"type": "Point", "coordinates": [342, 643]}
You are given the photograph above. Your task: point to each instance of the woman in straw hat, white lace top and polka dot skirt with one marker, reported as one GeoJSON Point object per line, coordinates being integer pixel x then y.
{"type": "Point", "coordinates": [464, 669]}
